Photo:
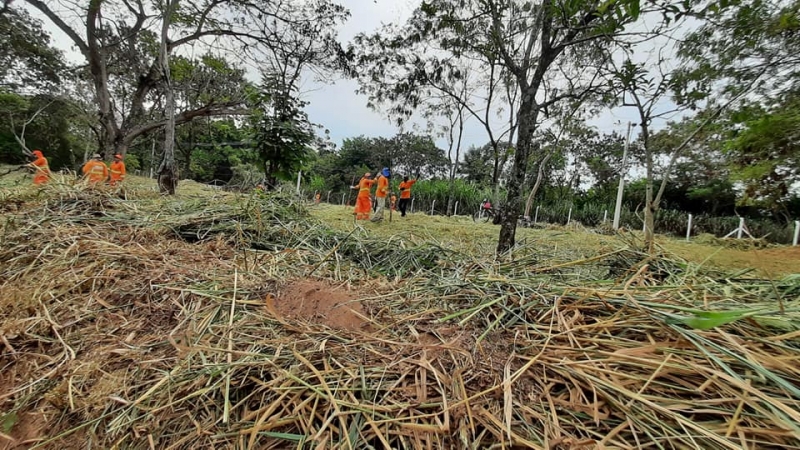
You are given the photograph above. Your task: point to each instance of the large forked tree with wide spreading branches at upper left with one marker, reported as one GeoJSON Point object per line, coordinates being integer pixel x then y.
{"type": "Point", "coordinates": [246, 28]}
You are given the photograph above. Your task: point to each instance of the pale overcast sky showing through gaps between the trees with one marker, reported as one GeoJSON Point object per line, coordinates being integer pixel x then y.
{"type": "Point", "coordinates": [338, 108]}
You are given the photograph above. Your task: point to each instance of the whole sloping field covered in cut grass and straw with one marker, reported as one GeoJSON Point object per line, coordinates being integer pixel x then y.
{"type": "Point", "coordinates": [223, 320]}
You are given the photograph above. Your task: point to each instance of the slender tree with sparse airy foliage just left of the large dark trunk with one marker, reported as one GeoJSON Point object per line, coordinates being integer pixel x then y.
{"type": "Point", "coordinates": [405, 68]}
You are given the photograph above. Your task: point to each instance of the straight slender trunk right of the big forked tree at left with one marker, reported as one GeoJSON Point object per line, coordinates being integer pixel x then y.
{"type": "Point", "coordinates": [167, 172]}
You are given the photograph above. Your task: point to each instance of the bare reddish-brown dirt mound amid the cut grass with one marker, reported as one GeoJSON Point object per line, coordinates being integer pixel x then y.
{"type": "Point", "coordinates": [322, 303]}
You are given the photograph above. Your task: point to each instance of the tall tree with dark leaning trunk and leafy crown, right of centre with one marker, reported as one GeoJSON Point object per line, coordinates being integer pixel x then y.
{"type": "Point", "coordinates": [546, 49]}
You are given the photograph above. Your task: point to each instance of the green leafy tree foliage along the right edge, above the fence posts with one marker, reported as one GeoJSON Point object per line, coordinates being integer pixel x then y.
{"type": "Point", "coordinates": [753, 47]}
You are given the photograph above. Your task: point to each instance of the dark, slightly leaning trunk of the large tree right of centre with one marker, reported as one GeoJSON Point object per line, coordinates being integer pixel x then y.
{"type": "Point", "coordinates": [528, 114]}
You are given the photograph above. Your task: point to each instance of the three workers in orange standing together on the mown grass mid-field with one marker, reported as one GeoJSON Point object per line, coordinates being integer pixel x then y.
{"type": "Point", "coordinates": [364, 199]}
